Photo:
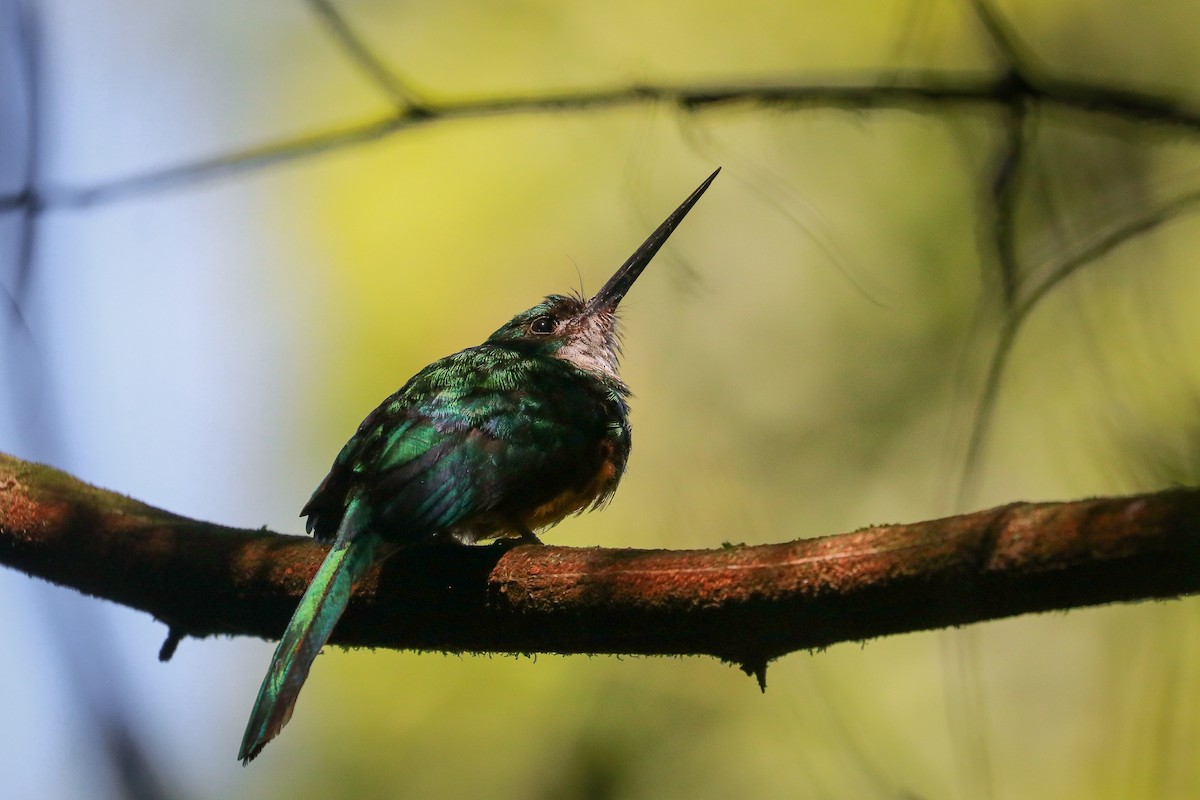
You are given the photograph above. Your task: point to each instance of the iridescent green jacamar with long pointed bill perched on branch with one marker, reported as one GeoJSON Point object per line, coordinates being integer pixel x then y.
{"type": "Point", "coordinates": [497, 441]}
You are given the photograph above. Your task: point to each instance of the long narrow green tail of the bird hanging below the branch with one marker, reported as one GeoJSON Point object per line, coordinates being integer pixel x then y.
{"type": "Point", "coordinates": [311, 625]}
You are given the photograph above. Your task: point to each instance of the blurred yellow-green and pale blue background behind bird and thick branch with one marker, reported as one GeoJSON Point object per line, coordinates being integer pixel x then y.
{"type": "Point", "coordinates": [811, 354]}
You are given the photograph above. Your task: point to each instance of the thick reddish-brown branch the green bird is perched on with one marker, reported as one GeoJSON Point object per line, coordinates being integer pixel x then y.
{"type": "Point", "coordinates": [745, 605]}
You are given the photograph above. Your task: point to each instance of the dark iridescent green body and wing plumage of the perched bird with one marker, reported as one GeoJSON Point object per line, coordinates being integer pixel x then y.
{"type": "Point", "coordinates": [466, 449]}
